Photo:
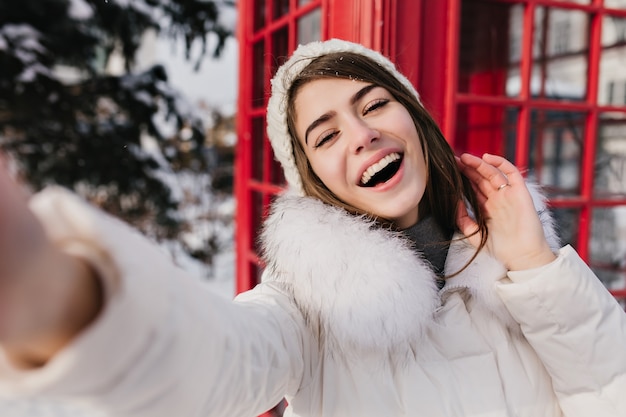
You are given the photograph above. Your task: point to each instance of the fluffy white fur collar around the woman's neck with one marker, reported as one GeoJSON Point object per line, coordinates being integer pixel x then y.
{"type": "Point", "coordinates": [362, 288]}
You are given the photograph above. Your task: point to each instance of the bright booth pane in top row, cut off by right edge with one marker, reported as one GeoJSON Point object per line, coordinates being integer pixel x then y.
{"type": "Point", "coordinates": [612, 88]}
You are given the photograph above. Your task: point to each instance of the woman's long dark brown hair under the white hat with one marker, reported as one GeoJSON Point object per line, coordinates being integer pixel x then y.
{"type": "Point", "coordinates": [446, 187]}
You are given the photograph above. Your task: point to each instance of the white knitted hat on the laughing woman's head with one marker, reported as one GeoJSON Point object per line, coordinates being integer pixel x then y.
{"type": "Point", "coordinates": [277, 129]}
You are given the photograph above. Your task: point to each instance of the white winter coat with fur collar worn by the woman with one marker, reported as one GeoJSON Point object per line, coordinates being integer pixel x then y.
{"type": "Point", "coordinates": [348, 322]}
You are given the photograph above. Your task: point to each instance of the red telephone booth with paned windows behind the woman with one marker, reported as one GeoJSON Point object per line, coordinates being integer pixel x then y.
{"type": "Point", "coordinates": [542, 82]}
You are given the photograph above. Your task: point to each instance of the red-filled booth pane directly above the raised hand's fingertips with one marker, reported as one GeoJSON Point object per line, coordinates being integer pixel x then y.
{"type": "Point", "coordinates": [482, 128]}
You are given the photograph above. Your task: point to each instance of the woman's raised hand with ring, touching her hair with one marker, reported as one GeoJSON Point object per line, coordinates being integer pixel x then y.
{"type": "Point", "coordinates": [516, 235]}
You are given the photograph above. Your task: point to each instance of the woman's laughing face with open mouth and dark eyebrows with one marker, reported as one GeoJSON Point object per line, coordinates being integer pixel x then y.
{"type": "Point", "coordinates": [363, 145]}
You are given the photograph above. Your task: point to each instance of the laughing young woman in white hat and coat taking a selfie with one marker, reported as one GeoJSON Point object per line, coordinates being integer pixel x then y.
{"type": "Point", "coordinates": [400, 281]}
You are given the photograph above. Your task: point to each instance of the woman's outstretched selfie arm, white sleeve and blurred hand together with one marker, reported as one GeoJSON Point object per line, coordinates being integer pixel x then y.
{"type": "Point", "coordinates": [138, 337]}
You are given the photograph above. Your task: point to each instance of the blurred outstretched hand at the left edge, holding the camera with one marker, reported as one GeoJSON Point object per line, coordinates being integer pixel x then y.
{"type": "Point", "coordinates": [46, 296]}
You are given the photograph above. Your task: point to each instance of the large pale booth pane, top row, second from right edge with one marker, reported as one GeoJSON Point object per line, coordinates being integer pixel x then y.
{"type": "Point", "coordinates": [560, 58]}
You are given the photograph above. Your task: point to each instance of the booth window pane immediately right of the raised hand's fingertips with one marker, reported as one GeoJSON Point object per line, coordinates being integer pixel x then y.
{"type": "Point", "coordinates": [556, 149]}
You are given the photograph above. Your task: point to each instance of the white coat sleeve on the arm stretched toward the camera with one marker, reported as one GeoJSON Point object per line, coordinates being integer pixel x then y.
{"type": "Point", "coordinates": [164, 345]}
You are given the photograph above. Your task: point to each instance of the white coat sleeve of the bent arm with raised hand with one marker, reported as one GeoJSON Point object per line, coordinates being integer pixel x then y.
{"type": "Point", "coordinates": [577, 329]}
